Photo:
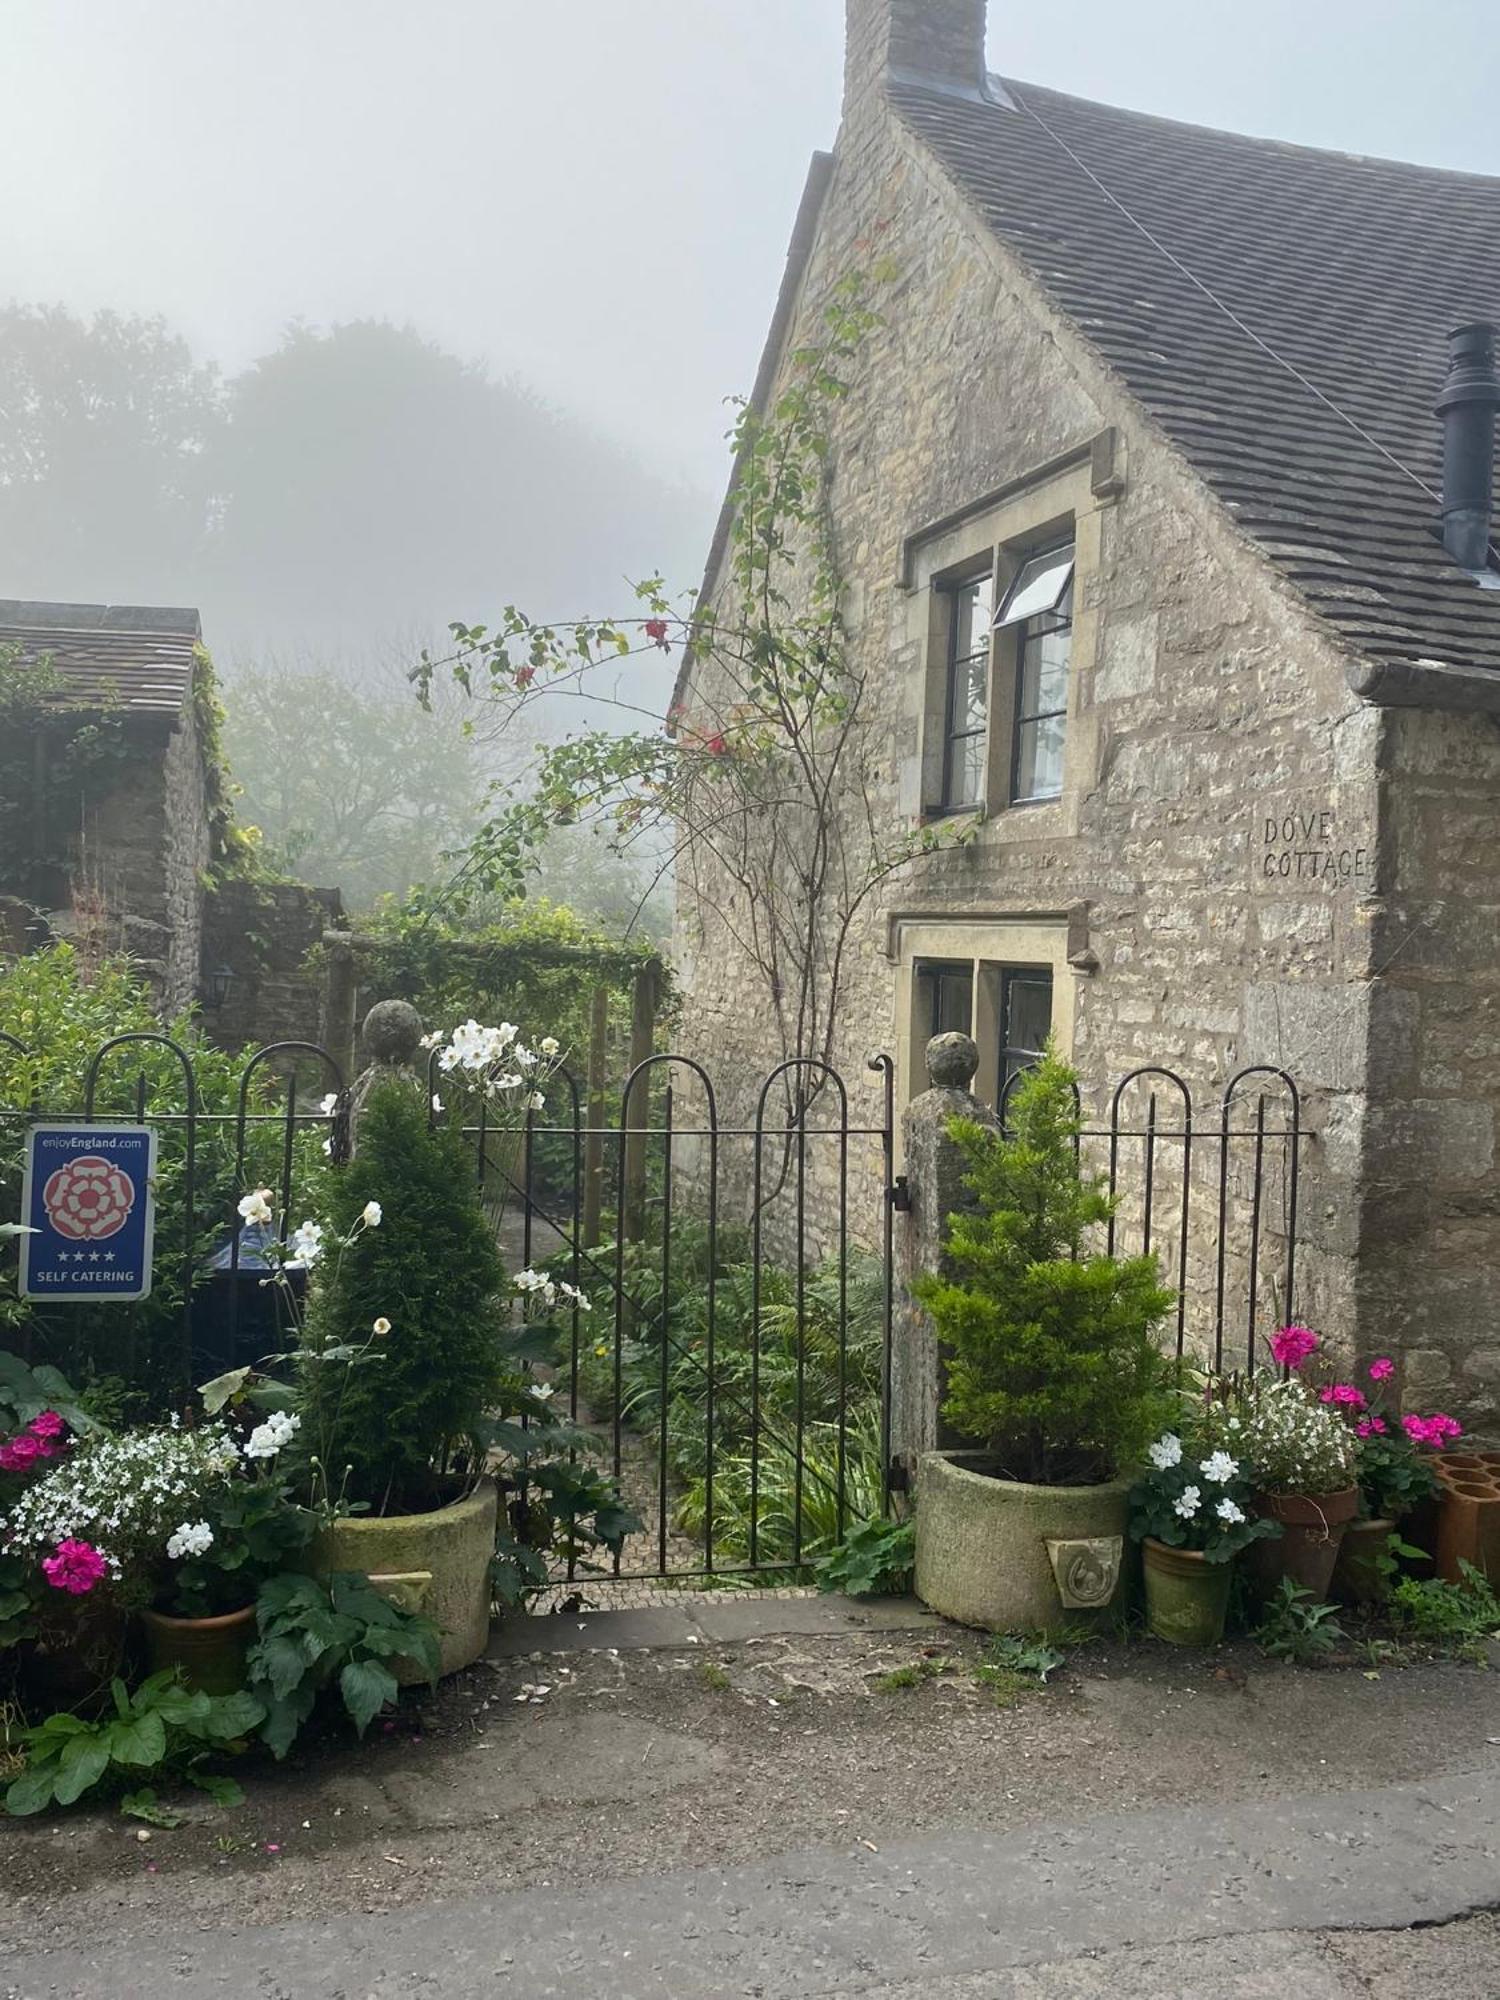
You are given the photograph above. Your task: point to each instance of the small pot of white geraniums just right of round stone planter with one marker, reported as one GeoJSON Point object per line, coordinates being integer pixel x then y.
{"type": "Point", "coordinates": [1193, 1513]}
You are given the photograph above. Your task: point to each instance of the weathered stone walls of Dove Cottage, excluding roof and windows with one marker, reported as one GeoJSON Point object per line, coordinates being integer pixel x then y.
{"type": "Point", "coordinates": [1273, 871]}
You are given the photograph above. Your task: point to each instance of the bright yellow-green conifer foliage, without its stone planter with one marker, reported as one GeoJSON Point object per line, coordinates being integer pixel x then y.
{"type": "Point", "coordinates": [1053, 1363]}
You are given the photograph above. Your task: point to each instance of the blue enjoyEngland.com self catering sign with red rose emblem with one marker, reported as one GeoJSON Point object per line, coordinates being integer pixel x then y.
{"type": "Point", "coordinates": [87, 1207]}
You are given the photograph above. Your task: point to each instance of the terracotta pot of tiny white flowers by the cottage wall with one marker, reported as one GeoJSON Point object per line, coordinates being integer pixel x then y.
{"type": "Point", "coordinates": [1301, 1457]}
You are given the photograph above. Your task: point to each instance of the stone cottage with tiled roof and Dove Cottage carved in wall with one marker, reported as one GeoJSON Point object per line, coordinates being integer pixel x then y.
{"type": "Point", "coordinates": [1163, 503]}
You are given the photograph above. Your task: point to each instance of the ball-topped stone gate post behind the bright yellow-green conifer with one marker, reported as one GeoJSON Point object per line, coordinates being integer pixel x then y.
{"type": "Point", "coordinates": [935, 1173]}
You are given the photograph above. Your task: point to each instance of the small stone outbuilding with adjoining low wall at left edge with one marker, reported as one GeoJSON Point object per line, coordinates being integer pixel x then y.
{"type": "Point", "coordinates": [123, 847]}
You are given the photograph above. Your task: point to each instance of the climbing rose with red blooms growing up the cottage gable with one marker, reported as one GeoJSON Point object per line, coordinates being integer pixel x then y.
{"type": "Point", "coordinates": [767, 777]}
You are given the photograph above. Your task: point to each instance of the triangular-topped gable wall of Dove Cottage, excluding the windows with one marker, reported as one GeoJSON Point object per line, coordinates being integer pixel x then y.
{"type": "Point", "coordinates": [1215, 747]}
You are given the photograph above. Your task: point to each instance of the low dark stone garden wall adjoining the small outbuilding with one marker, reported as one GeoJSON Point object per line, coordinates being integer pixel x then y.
{"type": "Point", "coordinates": [265, 933]}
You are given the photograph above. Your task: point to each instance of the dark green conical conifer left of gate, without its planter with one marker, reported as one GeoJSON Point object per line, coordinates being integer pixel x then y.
{"type": "Point", "coordinates": [435, 1275]}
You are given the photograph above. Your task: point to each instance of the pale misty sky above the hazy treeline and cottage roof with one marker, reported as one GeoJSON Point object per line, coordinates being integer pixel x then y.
{"type": "Point", "coordinates": [587, 195]}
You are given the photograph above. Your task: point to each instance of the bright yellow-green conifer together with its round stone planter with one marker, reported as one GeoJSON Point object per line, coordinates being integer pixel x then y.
{"type": "Point", "coordinates": [1053, 1371]}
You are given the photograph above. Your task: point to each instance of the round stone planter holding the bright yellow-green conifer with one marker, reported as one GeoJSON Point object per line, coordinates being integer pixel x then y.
{"type": "Point", "coordinates": [1011, 1557]}
